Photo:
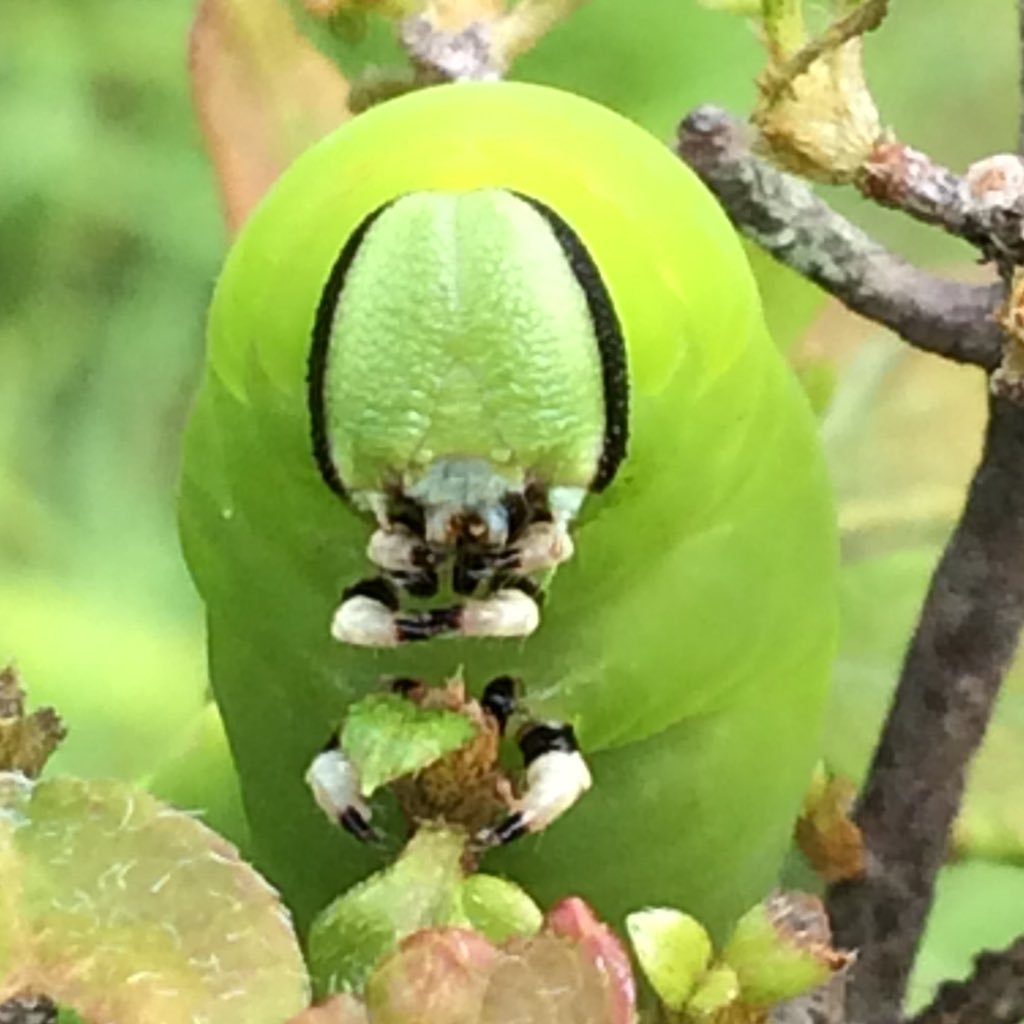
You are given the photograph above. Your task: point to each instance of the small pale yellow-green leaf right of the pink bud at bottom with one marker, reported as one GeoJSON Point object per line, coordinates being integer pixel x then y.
{"type": "Point", "coordinates": [673, 950]}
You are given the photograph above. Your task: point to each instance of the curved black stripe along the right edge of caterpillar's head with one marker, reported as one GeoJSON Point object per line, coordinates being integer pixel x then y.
{"type": "Point", "coordinates": [611, 345]}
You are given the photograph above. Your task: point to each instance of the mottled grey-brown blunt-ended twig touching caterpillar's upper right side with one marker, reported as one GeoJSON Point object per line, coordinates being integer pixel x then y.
{"type": "Point", "coordinates": [786, 218]}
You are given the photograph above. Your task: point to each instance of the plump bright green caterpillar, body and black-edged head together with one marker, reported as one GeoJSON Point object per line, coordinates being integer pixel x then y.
{"type": "Point", "coordinates": [481, 332]}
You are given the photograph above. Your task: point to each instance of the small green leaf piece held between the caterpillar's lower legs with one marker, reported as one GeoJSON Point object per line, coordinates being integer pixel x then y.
{"type": "Point", "coordinates": [388, 737]}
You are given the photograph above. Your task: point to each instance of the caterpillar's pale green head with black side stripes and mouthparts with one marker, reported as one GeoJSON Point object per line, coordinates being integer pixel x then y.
{"type": "Point", "coordinates": [467, 388]}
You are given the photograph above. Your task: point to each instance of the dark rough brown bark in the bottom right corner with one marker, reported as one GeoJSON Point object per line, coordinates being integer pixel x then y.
{"type": "Point", "coordinates": [994, 995]}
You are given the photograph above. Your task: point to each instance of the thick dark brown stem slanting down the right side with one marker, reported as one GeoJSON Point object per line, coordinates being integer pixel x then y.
{"type": "Point", "coordinates": [964, 644]}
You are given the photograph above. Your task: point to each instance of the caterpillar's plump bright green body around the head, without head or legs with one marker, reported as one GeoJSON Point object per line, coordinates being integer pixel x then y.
{"type": "Point", "coordinates": [690, 637]}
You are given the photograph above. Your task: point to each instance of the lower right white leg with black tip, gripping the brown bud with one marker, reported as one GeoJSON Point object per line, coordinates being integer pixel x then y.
{"type": "Point", "coordinates": [557, 778]}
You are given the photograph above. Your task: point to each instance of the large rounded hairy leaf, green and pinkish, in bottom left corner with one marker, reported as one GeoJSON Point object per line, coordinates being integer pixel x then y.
{"type": "Point", "coordinates": [120, 908]}
